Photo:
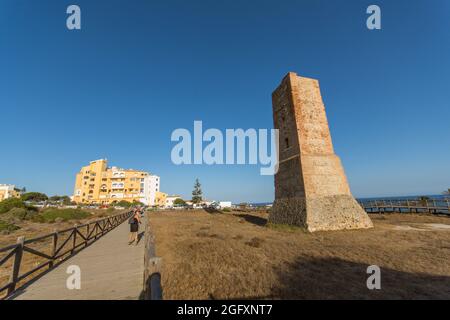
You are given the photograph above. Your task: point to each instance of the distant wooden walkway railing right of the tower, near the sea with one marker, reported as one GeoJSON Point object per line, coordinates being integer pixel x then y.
{"type": "Point", "coordinates": [436, 206]}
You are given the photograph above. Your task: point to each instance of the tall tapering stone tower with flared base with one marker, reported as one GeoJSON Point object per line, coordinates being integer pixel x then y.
{"type": "Point", "coordinates": [311, 189]}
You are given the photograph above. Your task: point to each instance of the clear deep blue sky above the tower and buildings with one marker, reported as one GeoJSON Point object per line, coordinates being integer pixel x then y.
{"type": "Point", "coordinates": [140, 69]}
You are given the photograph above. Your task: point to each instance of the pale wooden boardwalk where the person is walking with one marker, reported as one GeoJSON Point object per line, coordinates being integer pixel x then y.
{"type": "Point", "coordinates": [110, 270]}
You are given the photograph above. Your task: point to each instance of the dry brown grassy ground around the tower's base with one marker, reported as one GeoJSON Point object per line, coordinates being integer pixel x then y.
{"type": "Point", "coordinates": [235, 255]}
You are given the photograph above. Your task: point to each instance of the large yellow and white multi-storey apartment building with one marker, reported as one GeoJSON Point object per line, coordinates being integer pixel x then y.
{"type": "Point", "coordinates": [99, 184]}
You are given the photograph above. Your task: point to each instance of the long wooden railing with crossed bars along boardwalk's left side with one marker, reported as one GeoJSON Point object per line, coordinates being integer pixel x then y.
{"type": "Point", "coordinates": [60, 245]}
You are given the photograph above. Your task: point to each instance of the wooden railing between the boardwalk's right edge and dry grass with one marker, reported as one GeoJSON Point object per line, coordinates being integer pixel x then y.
{"type": "Point", "coordinates": [152, 267]}
